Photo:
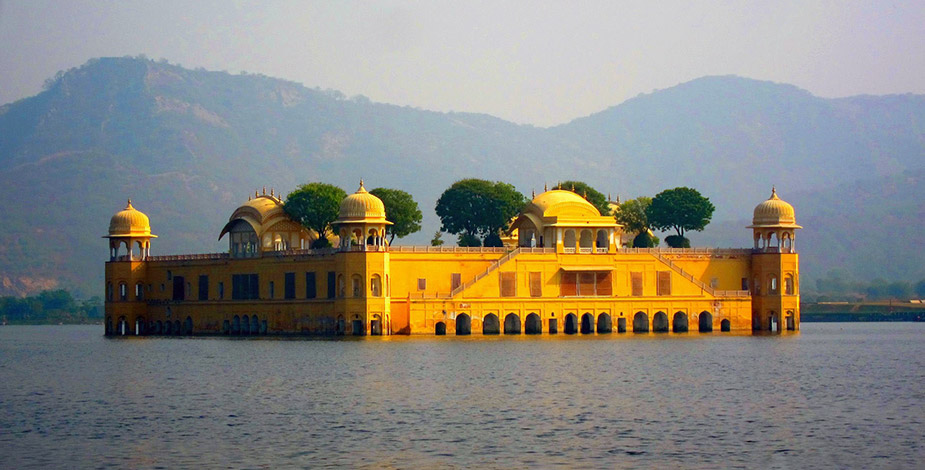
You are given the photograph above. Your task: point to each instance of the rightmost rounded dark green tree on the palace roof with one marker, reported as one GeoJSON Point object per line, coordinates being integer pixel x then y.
{"type": "Point", "coordinates": [680, 209]}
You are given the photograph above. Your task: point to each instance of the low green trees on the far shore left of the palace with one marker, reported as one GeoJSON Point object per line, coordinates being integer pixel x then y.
{"type": "Point", "coordinates": [50, 306]}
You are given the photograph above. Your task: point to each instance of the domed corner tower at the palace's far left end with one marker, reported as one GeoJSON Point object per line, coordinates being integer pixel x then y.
{"type": "Point", "coordinates": [125, 273]}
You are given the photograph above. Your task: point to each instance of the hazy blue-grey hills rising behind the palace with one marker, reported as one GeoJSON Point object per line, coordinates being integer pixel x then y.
{"type": "Point", "coordinates": [188, 146]}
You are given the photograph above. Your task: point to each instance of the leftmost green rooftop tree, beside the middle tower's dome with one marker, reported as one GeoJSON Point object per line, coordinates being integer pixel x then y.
{"type": "Point", "coordinates": [315, 205]}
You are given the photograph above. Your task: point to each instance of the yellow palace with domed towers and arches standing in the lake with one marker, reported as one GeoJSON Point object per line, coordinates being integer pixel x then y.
{"type": "Point", "coordinates": [564, 272]}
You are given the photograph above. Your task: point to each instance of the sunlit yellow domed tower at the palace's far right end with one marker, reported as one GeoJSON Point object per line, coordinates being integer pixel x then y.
{"type": "Point", "coordinates": [775, 267]}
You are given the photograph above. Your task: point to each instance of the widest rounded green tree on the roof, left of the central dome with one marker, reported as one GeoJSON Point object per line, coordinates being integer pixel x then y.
{"type": "Point", "coordinates": [478, 207]}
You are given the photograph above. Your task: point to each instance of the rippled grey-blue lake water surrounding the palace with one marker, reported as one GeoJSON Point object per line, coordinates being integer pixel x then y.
{"type": "Point", "coordinates": [833, 396]}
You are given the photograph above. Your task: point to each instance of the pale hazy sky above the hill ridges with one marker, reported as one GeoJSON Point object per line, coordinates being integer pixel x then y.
{"type": "Point", "coordinates": [535, 62]}
